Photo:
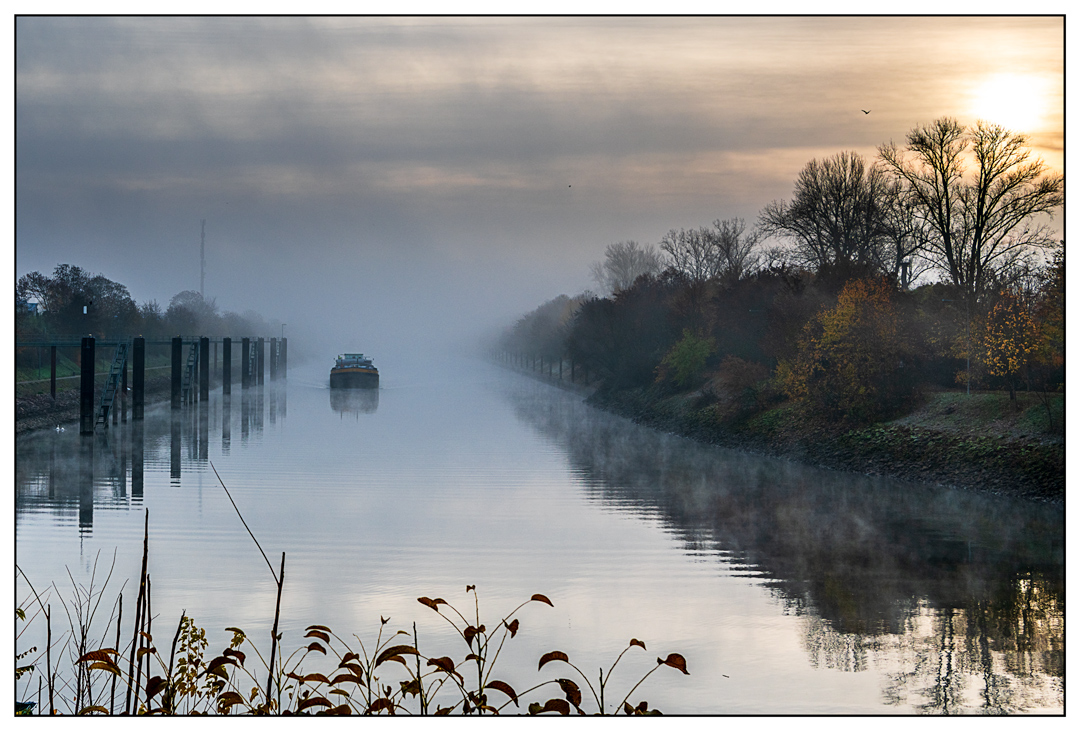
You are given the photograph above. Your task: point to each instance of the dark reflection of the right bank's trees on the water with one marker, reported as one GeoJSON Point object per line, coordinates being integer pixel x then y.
{"type": "Point", "coordinates": [957, 599]}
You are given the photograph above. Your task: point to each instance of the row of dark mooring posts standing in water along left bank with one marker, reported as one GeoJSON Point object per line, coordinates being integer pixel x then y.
{"type": "Point", "coordinates": [250, 376]}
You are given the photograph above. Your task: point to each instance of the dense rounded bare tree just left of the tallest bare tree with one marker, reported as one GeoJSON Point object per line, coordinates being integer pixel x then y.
{"type": "Point", "coordinates": [838, 215]}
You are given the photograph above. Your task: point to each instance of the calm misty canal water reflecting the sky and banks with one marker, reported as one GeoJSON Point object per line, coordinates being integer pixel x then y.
{"type": "Point", "coordinates": [788, 589]}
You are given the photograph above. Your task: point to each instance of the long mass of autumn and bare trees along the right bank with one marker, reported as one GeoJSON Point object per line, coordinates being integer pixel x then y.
{"type": "Point", "coordinates": [926, 267]}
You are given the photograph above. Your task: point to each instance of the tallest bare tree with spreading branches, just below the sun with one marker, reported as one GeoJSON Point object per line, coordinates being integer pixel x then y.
{"type": "Point", "coordinates": [983, 226]}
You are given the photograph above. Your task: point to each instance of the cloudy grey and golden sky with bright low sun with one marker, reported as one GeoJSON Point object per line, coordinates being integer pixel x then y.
{"type": "Point", "coordinates": [376, 181]}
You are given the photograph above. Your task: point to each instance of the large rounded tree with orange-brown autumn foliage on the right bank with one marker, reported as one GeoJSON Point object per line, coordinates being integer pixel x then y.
{"type": "Point", "coordinates": [854, 361]}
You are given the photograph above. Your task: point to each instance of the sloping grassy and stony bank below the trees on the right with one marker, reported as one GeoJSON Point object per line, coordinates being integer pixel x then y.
{"type": "Point", "coordinates": [980, 442]}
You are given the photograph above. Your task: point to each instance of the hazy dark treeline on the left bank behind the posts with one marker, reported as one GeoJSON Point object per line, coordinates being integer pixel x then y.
{"type": "Point", "coordinates": [74, 303]}
